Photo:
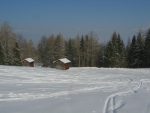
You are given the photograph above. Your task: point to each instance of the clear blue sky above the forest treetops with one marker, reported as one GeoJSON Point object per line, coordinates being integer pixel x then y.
{"type": "Point", "coordinates": [35, 18]}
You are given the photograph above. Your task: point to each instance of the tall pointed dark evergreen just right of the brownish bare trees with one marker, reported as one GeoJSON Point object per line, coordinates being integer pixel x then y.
{"type": "Point", "coordinates": [115, 52]}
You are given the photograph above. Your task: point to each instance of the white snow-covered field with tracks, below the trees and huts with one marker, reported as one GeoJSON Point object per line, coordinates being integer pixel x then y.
{"type": "Point", "coordinates": [77, 90]}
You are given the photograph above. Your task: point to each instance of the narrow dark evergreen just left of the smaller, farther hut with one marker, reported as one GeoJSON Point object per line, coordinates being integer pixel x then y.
{"type": "Point", "coordinates": [17, 58]}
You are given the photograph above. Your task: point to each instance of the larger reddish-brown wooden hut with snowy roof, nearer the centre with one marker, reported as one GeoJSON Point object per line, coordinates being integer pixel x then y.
{"type": "Point", "coordinates": [63, 63]}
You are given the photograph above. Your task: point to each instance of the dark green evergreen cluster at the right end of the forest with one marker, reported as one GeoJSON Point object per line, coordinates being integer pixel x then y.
{"type": "Point", "coordinates": [135, 55]}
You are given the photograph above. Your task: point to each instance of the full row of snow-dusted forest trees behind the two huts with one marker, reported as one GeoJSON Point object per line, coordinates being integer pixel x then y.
{"type": "Point", "coordinates": [83, 51]}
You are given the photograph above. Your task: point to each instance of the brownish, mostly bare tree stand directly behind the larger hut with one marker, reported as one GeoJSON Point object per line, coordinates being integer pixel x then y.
{"type": "Point", "coordinates": [82, 50]}
